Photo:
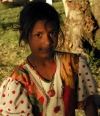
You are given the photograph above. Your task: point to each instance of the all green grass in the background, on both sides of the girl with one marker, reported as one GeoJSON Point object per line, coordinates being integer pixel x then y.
{"type": "Point", "coordinates": [10, 52]}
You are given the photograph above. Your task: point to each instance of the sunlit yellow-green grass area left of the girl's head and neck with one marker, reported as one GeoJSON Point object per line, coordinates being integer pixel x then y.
{"type": "Point", "coordinates": [10, 53]}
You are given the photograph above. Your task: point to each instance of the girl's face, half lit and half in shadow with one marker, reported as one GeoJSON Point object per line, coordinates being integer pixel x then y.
{"type": "Point", "coordinates": [43, 39]}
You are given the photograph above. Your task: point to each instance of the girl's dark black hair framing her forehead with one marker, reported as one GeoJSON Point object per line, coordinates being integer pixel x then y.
{"type": "Point", "coordinates": [33, 12]}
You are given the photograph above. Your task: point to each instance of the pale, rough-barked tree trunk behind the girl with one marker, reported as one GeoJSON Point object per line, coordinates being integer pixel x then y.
{"type": "Point", "coordinates": [79, 25]}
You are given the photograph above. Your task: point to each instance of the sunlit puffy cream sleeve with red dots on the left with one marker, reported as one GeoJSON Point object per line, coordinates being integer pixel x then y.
{"type": "Point", "coordinates": [14, 99]}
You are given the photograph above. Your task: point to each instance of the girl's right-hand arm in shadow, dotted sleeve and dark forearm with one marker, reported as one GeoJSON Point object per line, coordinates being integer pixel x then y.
{"type": "Point", "coordinates": [87, 88]}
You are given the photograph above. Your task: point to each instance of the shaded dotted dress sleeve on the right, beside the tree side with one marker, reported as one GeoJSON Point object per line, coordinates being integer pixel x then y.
{"type": "Point", "coordinates": [87, 85]}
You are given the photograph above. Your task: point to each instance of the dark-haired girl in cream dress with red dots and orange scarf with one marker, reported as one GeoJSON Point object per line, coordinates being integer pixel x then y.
{"type": "Point", "coordinates": [49, 82]}
